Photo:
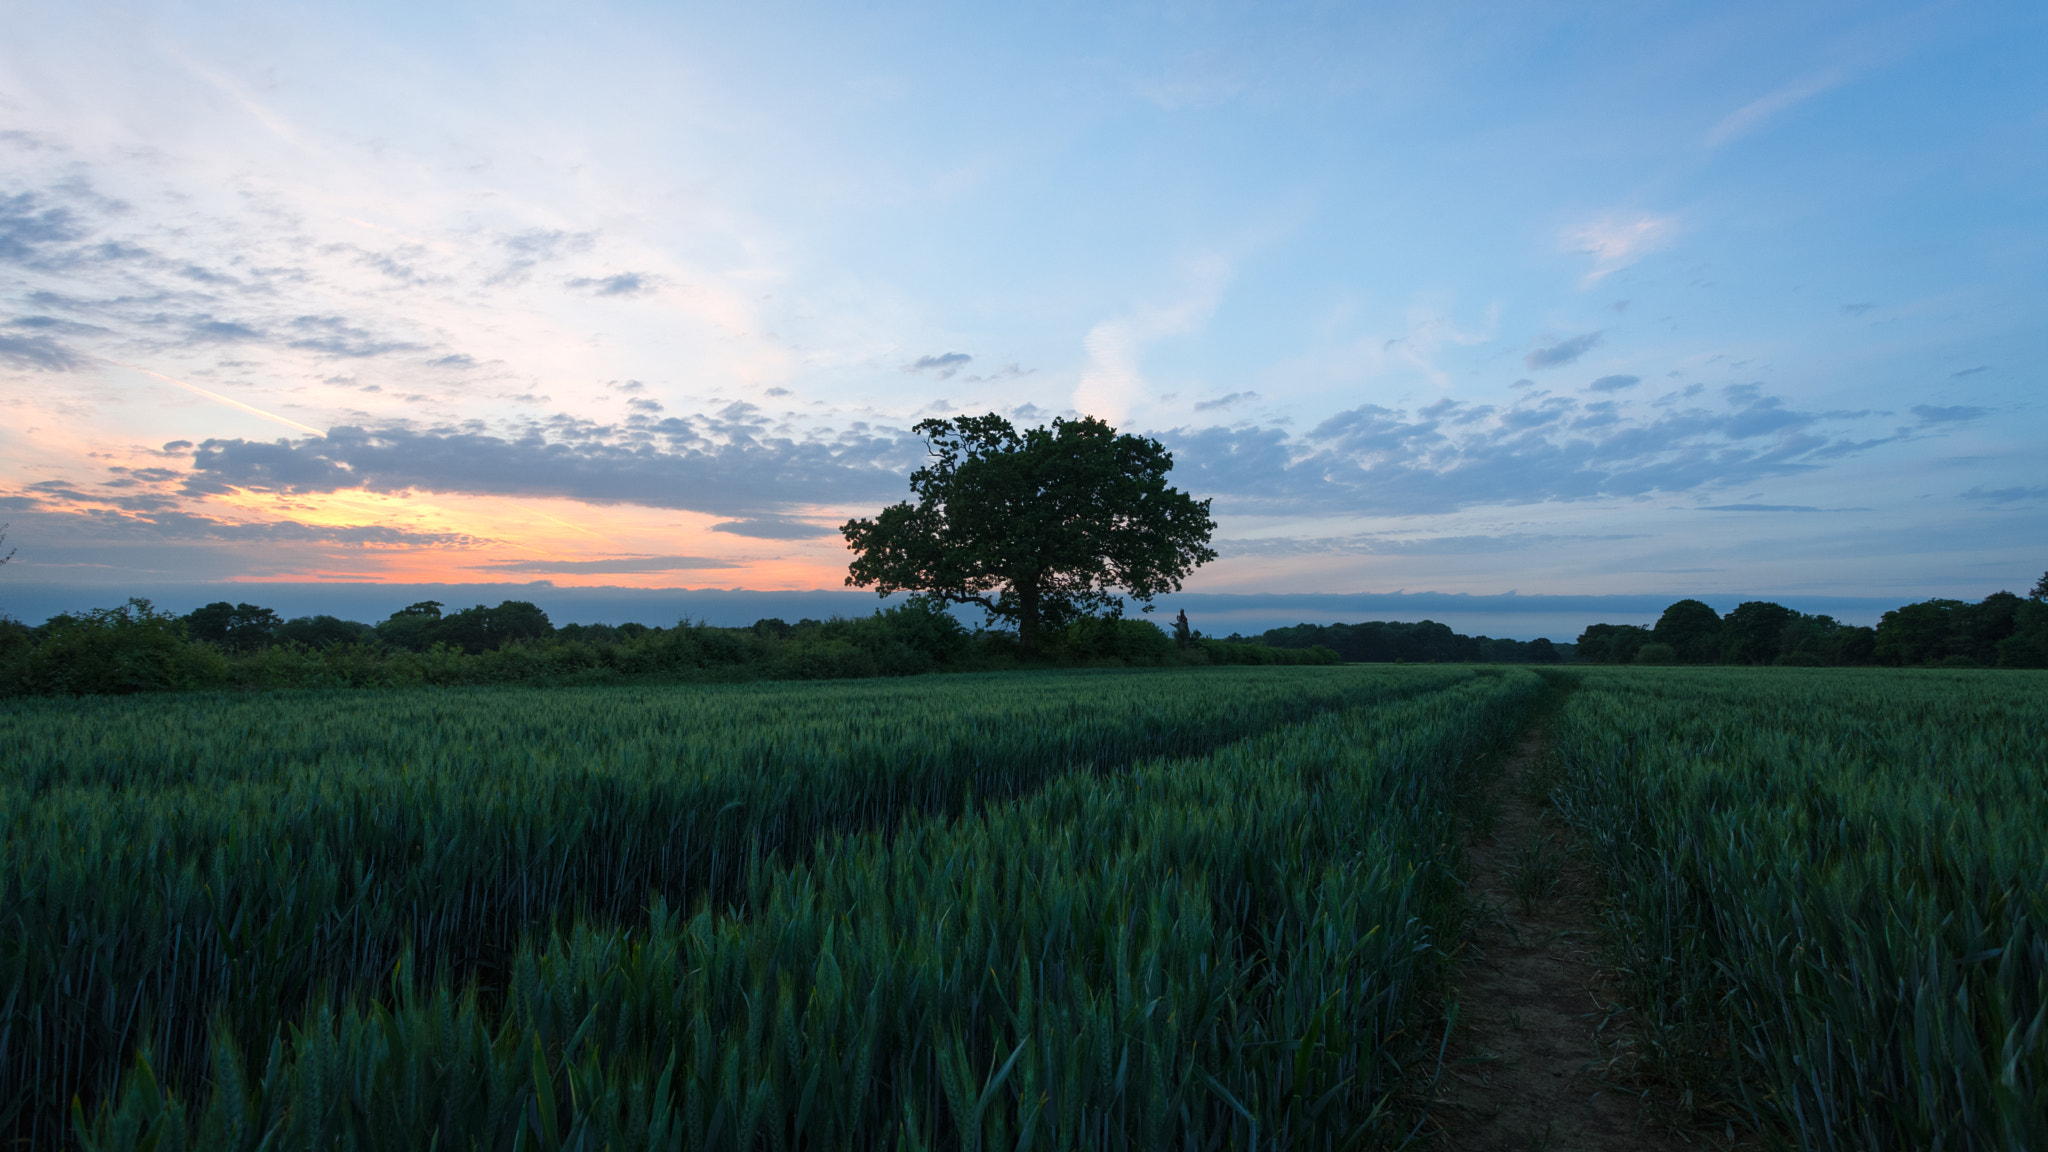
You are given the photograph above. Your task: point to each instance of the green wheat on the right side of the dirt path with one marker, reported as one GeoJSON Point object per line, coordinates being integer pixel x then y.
{"type": "Point", "coordinates": [1830, 893]}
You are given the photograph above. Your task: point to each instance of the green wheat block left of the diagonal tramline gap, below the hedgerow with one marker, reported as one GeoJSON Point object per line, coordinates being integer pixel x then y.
{"type": "Point", "coordinates": [185, 872]}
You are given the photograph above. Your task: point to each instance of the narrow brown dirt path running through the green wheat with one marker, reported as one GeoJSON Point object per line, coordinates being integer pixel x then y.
{"type": "Point", "coordinates": [1539, 1040]}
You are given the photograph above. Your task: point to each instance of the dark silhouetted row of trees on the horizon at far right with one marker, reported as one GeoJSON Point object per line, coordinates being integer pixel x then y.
{"type": "Point", "coordinates": [1998, 632]}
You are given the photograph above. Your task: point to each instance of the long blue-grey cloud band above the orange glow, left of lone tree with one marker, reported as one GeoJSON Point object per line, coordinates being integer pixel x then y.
{"type": "Point", "coordinates": [722, 464]}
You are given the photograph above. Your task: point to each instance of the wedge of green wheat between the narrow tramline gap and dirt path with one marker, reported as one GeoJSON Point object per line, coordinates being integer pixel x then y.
{"type": "Point", "coordinates": [1201, 952]}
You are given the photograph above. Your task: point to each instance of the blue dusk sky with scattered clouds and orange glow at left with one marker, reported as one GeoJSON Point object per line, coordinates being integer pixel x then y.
{"type": "Point", "coordinates": [1541, 300]}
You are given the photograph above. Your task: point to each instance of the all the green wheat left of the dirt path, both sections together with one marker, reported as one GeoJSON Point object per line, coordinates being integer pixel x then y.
{"type": "Point", "coordinates": [226, 870]}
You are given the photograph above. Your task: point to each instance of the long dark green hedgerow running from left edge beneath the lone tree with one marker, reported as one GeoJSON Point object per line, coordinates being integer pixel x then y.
{"type": "Point", "coordinates": [136, 649]}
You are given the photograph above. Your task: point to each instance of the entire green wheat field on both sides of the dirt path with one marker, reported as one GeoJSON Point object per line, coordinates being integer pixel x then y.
{"type": "Point", "coordinates": [1140, 909]}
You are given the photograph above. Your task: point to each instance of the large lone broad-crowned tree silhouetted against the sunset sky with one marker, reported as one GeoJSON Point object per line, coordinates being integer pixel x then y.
{"type": "Point", "coordinates": [1037, 528]}
